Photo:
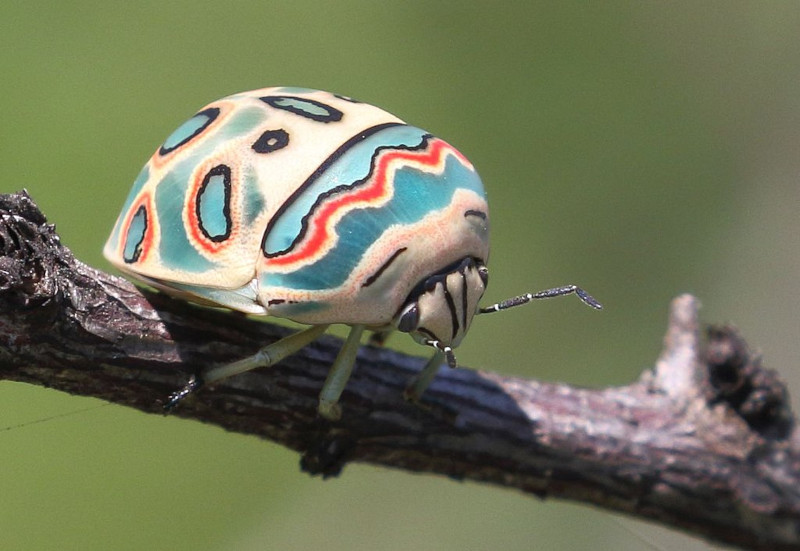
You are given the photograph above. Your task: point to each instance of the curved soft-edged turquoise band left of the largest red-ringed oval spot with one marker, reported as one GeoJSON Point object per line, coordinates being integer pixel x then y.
{"type": "Point", "coordinates": [176, 250]}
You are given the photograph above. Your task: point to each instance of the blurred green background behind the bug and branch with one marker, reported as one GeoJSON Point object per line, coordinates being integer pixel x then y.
{"type": "Point", "coordinates": [639, 149]}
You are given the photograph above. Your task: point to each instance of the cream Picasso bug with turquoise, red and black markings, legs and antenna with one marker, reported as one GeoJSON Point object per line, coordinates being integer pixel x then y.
{"type": "Point", "coordinates": [317, 208]}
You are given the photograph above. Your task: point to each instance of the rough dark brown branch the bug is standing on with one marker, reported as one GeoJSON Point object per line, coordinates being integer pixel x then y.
{"type": "Point", "coordinates": [705, 441]}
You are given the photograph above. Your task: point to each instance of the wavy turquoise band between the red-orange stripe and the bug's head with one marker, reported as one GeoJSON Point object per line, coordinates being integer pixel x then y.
{"type": "Point", "coordinates": [417, 193]}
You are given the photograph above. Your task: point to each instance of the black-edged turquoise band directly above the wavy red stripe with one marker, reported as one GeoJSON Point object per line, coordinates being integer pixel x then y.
{"type": "Point", "coordinates": [353, 166]}
